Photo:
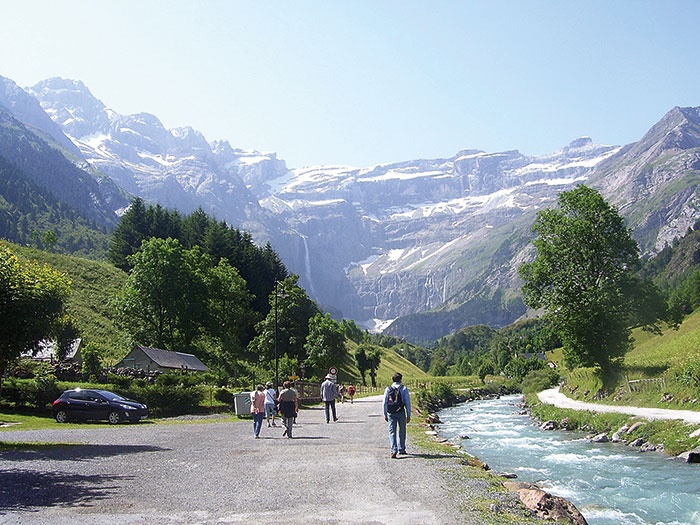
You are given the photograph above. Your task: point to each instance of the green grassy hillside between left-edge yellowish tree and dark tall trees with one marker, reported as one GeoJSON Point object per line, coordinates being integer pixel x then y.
{"type": "Point", "coordinates": [93, 285]}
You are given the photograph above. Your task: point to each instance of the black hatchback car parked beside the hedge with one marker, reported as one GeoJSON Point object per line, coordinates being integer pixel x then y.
{"type": "Point", "coordinates": [91, 404]}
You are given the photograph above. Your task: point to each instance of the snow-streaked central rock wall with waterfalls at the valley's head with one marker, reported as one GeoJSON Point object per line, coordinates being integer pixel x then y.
{"type": "Point", "coordinates": [403, 238]}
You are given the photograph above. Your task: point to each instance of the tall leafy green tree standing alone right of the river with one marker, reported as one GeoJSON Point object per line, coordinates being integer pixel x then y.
{"type": "Point", "coordinates": [583, 275]}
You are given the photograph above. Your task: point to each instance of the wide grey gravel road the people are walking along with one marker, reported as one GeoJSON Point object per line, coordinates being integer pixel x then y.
{"type": "Point", "coordinates": [215, 472]}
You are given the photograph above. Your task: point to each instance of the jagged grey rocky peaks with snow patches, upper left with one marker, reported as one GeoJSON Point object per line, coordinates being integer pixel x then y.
{"type": "Point", "coordinates": [177, 168]}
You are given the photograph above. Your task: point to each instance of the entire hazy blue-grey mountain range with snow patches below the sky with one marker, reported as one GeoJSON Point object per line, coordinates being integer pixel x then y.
{"type": "Point", "coordinates": [418, 248]}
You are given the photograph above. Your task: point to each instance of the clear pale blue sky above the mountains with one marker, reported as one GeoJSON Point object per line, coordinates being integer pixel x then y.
{"type": "Point", "coordinates": [364, 82]}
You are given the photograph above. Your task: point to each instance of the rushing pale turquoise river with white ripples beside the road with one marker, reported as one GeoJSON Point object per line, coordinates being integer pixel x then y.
{"type": "Point", "coordinates": [610, 483]}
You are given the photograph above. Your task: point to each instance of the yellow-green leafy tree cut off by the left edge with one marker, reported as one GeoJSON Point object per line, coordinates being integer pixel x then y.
{"type": "Point", "coordinates": [32, 305]}
